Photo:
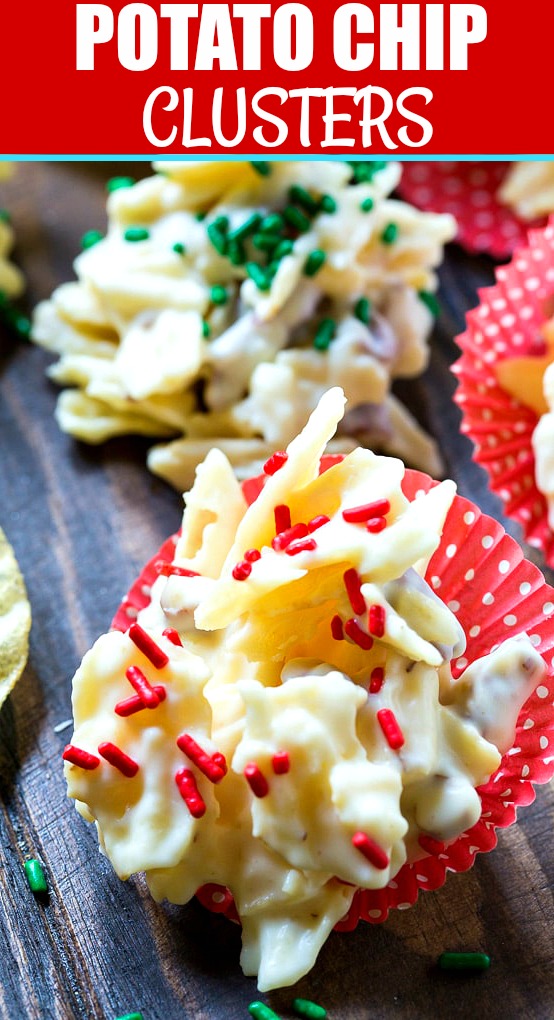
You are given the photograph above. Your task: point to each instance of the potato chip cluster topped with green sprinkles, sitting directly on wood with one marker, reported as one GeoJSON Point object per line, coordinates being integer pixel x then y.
{"type": "Point", "coordinates": [225, 300]}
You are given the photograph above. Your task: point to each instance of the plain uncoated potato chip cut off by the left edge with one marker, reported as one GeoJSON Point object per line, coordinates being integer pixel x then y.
{"type": "Point", "coordinates": [15, 621]}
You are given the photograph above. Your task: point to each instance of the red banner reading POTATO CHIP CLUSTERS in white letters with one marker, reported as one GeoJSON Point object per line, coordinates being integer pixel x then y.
{"type": "Point", "coordinates": [321, 79]}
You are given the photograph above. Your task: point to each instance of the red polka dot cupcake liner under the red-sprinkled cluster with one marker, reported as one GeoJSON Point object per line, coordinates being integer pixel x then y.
{"type": "Point", "coordinates": [481, 574]}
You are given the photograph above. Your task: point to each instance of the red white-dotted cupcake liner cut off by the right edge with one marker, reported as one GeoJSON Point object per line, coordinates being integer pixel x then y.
{"type": "Point", "coordinates": [508, 324]}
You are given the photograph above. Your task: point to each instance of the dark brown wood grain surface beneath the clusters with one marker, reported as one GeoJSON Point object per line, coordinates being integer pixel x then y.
{"type": "Point", "coordinates": [83, 522]}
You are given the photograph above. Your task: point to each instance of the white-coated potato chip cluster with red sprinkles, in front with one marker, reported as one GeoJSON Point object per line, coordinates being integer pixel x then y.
{"type": "Point", "coordinates": [262, 675]}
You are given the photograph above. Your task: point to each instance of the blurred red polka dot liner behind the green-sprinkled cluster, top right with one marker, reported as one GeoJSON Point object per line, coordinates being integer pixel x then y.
{"type": "Point", "coordinates": [470, 192]}
